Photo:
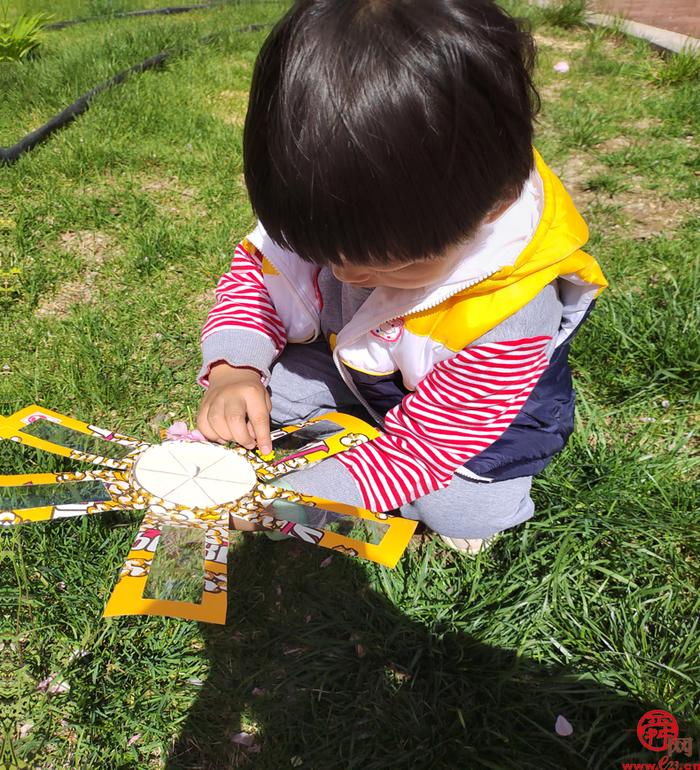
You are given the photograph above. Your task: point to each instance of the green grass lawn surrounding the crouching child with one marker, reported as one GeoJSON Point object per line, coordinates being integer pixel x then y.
{"type": "Point", "coordinates": [121, 225]}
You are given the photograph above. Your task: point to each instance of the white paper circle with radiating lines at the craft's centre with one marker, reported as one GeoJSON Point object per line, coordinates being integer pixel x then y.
{"type": "Point", "coordinates": [194, 475]}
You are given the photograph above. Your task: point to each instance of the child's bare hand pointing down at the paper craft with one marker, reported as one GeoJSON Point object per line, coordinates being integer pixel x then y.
{"type": "Point", "coordinates": [233, 395]}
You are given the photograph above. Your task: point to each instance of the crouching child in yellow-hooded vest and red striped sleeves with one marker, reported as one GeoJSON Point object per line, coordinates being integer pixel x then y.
{"type": "Point", "coordinates": [416, 244]}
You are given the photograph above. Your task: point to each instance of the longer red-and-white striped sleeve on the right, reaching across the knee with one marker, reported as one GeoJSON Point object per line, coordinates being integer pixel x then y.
{"type": "Point", "coordinates": [458, 410]}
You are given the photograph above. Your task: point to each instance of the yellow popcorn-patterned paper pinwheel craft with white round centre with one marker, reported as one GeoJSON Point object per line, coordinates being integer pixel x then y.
{"type": "Point", "coordinates": [188, 489]}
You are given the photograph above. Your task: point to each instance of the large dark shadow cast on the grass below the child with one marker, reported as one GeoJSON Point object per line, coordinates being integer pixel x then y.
{"type": "Point", "coordinates": [325, 672]}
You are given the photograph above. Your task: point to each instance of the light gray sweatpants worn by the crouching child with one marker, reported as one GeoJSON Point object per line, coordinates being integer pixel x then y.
{"type": "Point", "coordinates": [305, 383]}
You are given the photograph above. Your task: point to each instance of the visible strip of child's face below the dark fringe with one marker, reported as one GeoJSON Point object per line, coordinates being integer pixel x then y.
{"type": "Point", "coordinates": [400, 276]}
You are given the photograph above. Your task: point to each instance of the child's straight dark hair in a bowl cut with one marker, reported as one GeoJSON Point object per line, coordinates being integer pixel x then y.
{"type": "Point", "coordinates": [388, 130]}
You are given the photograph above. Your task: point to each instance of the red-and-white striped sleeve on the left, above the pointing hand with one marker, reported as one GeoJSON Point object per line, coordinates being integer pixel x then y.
{"type": "Point", "coordinates": [243, 302]}
